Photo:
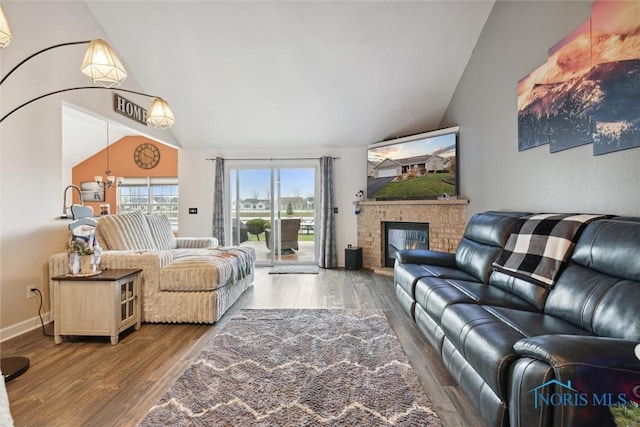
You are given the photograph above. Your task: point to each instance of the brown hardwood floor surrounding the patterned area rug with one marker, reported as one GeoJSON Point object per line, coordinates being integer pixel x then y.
{"type": "Point", "coordinates": [88, 382]}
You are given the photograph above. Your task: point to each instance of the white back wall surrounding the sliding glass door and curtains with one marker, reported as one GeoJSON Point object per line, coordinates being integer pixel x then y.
{"type": "Point", "coordinates": [196, 177]}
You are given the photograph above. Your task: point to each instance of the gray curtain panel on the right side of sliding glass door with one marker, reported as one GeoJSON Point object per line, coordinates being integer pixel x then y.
{"type": "Point", "coordinates": [326, 244]}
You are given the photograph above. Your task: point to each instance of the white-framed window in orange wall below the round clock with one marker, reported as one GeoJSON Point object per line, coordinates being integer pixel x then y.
{"type": "Point", "coordinates": [151, 195]}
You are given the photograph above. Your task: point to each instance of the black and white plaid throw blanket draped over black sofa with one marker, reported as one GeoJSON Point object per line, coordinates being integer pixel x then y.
{"type": "Point", "coordinates": [541, 247]}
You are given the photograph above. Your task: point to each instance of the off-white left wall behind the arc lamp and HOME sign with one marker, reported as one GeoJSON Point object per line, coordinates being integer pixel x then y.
{"type": "Point", "coordinates": [31, 147]}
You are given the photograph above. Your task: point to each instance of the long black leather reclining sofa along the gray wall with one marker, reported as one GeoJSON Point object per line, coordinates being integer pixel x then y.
{"type": "Point", "coordinates": [527, 354]}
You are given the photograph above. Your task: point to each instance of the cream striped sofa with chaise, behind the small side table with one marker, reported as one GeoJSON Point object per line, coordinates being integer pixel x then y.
{"type": "Point", "coordinates": [184, 280]}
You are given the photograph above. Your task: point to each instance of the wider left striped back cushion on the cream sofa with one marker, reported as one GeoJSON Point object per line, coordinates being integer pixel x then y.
{"type": "Point", "coordinates": [127, 231]}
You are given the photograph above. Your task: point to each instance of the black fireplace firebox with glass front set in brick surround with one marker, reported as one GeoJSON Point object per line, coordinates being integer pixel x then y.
{"type": "Point", "coordinates": [404, 235]}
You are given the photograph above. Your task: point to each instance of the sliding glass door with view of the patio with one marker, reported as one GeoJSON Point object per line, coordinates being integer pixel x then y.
{"type": "Point", "coordinates": [272, 209]}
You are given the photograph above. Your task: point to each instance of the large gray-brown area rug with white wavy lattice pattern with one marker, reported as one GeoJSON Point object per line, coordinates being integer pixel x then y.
{"type": "Point", "coordinates": [298, 368]}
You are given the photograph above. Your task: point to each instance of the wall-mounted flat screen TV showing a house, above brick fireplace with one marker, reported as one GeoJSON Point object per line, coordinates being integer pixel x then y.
{"type": "Point", "coordinates": [421, 166]}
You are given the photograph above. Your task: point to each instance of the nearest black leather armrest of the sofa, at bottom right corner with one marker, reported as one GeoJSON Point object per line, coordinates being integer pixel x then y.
{"type": "Point", "coordinates": [588, 373]}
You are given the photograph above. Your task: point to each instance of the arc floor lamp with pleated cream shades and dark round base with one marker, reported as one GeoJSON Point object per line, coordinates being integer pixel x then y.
{"type": "Point", "coordinates": [102, 66]}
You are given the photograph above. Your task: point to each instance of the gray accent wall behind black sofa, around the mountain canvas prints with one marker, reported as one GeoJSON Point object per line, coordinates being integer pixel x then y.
{"type": "Point", "coordinates": [493, 174]}
